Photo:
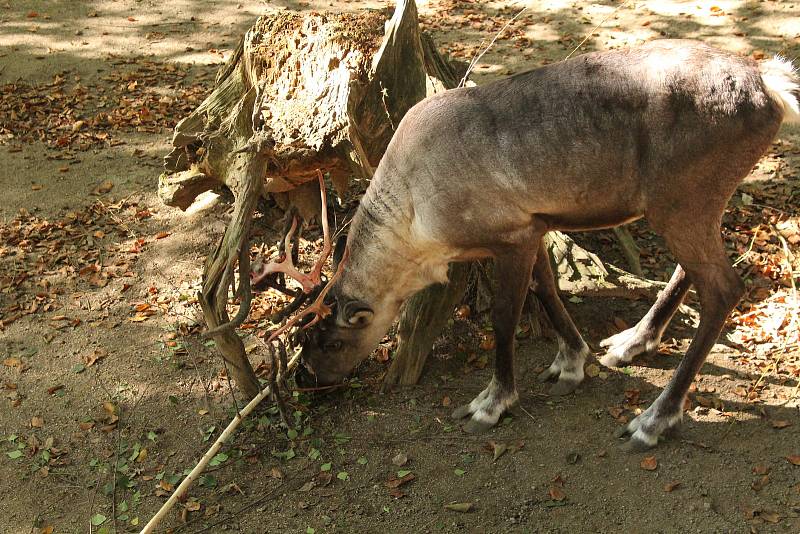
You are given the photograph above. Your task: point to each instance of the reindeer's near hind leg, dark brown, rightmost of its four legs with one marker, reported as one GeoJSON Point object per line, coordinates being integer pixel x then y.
{"type": "Point", "coordinates": [702, 254]}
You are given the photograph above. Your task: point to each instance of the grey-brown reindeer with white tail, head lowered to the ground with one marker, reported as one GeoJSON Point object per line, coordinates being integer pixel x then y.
{"type": "Point", "coordinates": [665, 132]}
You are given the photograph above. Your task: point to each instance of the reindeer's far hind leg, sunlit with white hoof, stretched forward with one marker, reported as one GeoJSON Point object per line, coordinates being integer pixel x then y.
{"type": "Point", "coordinates": [646, 335]}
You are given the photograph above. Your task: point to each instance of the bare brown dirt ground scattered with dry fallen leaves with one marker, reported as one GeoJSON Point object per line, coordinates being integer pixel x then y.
{"type": "Point", "coordinates": [109, 396]}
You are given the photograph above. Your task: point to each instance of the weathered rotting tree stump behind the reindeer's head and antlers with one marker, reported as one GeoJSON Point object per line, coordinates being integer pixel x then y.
{"type": "Point", "coordinates": [301, 93]}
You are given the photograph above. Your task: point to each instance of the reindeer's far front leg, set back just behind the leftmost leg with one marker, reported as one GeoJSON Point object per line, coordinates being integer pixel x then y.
{"type": "Point", "coordinates": [567, 368]}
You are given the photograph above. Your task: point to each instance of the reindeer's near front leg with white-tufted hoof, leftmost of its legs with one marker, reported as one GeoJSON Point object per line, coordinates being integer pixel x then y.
{"type": "Point", "coordinates": [513, 273]}
